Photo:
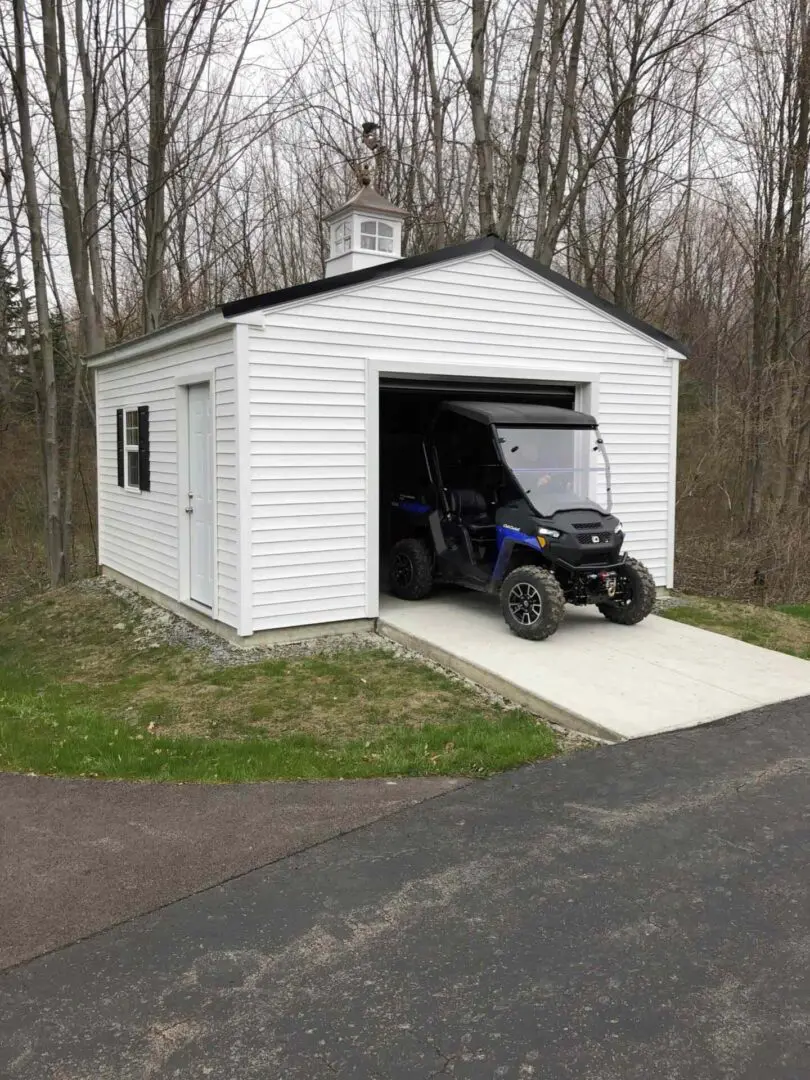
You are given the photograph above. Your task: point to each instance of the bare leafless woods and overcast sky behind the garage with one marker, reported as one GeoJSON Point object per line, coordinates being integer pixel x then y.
{"type": "Point", "coordinates": [160, 159]}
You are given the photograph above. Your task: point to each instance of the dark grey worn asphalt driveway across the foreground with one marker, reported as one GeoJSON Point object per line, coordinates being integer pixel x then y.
{"type": "Point", "coordinates": [634, 912]}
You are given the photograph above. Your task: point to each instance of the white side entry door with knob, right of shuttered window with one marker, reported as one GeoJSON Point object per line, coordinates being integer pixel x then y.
{"type": "Point", "coordinates": [200, 510]}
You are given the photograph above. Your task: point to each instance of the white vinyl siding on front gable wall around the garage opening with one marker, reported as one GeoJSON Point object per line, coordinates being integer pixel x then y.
{"type": "Point", "coordinates": [308, 414]}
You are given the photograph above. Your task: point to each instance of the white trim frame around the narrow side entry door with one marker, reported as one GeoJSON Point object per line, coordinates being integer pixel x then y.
{"type": "Point", "coordinates": [184, 557]}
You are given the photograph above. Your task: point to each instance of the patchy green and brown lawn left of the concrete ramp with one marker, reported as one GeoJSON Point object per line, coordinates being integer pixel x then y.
{"type": "Point", "coordinates": [89, 688]}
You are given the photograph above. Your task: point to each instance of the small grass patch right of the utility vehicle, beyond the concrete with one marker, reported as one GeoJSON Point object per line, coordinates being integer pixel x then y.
{"type": "Point", "coordinates": [786, 629]}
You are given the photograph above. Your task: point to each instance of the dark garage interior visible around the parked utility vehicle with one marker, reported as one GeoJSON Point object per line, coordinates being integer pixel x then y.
{"type": "Point", "coordinates": [407, 411]}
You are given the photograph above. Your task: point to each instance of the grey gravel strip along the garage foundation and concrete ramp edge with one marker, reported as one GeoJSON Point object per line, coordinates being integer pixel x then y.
{"type": "Point", "coordinates": [156, 627]}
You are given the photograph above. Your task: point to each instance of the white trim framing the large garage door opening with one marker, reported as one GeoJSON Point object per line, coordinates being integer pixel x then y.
{"type": "Point", "coordinates": [587, 399]}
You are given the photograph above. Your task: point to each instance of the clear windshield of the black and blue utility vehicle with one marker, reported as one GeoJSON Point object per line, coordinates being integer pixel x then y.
{"type": "Point", "coordinates": [558, 468]}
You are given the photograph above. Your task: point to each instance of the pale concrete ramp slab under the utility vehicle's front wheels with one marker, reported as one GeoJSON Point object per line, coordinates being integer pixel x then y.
{"type": "Point", "coordinates": [605, 681]}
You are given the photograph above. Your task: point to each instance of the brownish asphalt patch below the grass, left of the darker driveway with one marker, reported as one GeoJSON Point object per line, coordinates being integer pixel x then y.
{"type": "Point", "coordinates": [80, 856]}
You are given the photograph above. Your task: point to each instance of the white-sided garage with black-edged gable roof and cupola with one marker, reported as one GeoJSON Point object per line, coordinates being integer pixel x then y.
{"type": "Point", "coordinates": [239, 451]}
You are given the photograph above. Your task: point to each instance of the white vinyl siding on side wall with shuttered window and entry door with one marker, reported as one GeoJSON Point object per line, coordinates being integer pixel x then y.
{"type": "Point", "coordinates": [139, 531]}
